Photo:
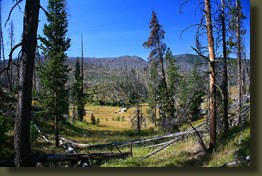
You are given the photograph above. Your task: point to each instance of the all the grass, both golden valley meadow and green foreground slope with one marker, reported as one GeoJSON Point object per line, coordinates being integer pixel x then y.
{"type": "Point", "coordinates": [184, 153]}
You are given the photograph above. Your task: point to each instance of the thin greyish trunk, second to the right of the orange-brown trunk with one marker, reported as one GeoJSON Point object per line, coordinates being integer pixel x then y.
{"type": "Point", "coordinates": [239, 62]}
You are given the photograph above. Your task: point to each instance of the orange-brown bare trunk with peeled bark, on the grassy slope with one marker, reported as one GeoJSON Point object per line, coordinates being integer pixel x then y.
{"type": "Point", "coordinates": [212, 88]}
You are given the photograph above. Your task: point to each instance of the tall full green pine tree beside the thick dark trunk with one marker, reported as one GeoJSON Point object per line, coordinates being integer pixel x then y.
{"type": "Point", "coordinates": [53, 75]}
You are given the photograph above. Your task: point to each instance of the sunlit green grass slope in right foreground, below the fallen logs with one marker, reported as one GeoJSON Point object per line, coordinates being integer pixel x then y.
{"type": "Point", "coordinates": [187, 153]}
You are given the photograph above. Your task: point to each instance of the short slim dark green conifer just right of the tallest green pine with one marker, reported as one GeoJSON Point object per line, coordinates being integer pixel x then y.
{"type": "Point", "coordinates": [78, 98]}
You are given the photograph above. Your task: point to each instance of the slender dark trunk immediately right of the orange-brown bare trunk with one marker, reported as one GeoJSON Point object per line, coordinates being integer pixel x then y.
{"type": "Point", "coordinates": [225, 74]}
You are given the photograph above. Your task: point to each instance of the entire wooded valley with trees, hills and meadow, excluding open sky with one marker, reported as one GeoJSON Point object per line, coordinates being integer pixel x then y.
{"type": "Point", "coordinates": [171, 110]}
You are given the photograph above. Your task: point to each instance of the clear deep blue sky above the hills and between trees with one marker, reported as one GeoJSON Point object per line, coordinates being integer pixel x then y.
{"type": "Point", "coordinates": [119, 27]}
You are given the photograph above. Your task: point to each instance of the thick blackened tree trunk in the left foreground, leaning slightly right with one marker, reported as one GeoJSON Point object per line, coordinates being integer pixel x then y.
{"type": "Point", "coordinates": [23, 116]}
